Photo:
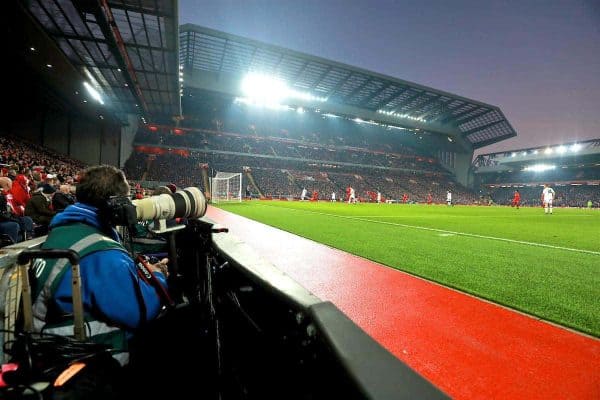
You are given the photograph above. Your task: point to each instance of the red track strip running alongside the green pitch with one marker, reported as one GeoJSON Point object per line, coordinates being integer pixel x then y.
{"type": "Point", "coordinates": [469, 348]}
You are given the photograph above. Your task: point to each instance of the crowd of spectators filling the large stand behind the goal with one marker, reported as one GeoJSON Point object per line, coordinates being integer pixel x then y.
{"type": "Point", "coordinates": [285, 159]}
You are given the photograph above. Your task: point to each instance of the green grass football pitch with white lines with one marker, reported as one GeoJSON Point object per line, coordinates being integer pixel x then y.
{"type": "Point", "coordinates": [544, 265]}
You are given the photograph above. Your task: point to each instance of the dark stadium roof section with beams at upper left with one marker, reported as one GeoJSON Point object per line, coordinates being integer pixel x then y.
{"type": "Point", "coordinates": [127, 50]}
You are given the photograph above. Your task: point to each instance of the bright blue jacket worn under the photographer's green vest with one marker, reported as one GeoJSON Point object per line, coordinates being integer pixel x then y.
{"type": "Point", "coordinates": [109, 278]}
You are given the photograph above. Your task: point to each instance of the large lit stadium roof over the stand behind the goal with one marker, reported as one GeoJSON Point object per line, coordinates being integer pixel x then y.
{"type": "Point", "coordinates": [210, 51]}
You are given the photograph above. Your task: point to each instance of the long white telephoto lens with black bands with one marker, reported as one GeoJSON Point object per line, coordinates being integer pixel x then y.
{"type": "Point", "coordinates": [187, 203]}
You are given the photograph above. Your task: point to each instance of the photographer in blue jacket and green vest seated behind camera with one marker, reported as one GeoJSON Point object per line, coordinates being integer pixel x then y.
{"type": "Point", "coordinates": [118, 297]}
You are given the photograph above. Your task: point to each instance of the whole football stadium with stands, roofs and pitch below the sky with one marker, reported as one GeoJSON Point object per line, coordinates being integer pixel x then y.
{"type": "Point", "coordinates": [271, 224]}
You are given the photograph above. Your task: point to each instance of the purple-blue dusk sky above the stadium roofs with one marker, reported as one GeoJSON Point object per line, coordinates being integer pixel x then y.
{"type": "Point", "coordinates": [539, 61]}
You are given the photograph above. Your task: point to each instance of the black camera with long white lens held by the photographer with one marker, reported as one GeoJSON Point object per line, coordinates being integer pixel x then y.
{"type": "Point", "coordinates": [187, 203]}
